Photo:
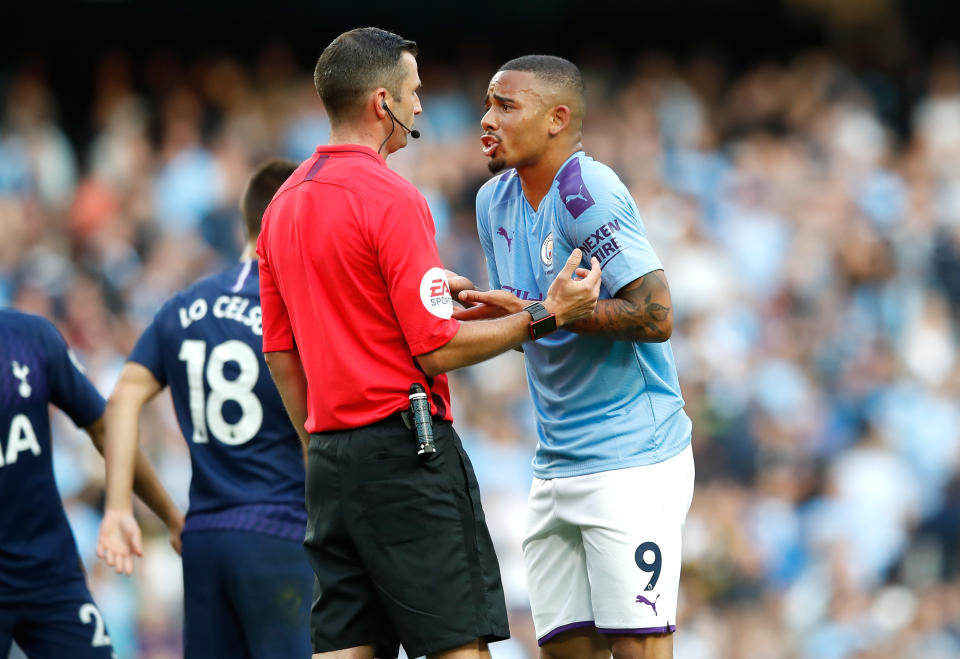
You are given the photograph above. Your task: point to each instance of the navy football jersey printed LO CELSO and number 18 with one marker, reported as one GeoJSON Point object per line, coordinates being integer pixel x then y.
{"type": "Point", "coordinates": [206, 344]}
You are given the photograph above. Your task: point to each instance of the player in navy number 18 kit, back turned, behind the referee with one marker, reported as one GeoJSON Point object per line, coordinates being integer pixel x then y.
{"type": "Point", "coordinates": [247, 583]}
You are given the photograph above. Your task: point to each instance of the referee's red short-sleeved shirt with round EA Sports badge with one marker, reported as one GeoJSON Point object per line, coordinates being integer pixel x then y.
{"type": "Point", "coordinates": [351, 277]}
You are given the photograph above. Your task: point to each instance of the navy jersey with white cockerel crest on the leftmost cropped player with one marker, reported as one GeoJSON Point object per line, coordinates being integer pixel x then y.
{"type": "Point", "coordinates": [37, 549]}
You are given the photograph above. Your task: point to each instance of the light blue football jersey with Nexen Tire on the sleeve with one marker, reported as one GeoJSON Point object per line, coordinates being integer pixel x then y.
{"type": "Point", "coordinates": [600, 404]}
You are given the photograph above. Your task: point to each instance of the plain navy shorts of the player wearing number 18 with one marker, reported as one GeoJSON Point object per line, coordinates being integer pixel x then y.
{"type": "Point", "coordinates": [245, 594]}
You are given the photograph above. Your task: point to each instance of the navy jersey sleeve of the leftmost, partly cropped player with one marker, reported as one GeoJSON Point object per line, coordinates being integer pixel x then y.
{"type": "Point", "coordinates": [70, 390]}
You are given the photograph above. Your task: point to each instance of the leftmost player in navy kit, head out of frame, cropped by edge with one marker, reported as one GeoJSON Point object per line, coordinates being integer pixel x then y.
{"type": "Point", "coordinates": [45, 605]}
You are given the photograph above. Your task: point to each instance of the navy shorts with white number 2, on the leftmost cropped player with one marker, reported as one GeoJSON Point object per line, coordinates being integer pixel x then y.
{"type": "Point", "coordinates": [63, 622]}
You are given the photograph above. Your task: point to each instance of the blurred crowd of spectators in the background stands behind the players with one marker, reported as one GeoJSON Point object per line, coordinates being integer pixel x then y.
{"type": "Point", "coordinates": [808, 217]}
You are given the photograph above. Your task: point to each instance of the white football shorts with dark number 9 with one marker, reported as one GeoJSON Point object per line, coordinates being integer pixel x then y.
{"type": "Point", "coordinates": [603, 550]}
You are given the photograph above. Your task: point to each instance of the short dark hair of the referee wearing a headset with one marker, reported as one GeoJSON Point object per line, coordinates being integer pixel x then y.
{"type": "Point", "coordinates": [354, 64]}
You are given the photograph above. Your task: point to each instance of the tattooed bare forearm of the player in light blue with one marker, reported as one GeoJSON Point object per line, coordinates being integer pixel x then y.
{"type": "Point", "coordinates": [640, 311]}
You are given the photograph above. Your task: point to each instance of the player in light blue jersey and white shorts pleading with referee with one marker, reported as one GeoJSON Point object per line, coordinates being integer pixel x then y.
{"type": "Point", "coordinates": [613, 466]}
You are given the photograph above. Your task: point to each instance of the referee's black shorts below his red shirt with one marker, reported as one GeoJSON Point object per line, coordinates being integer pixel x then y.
{"type": "Point", "coordinates": [398, 544]}
